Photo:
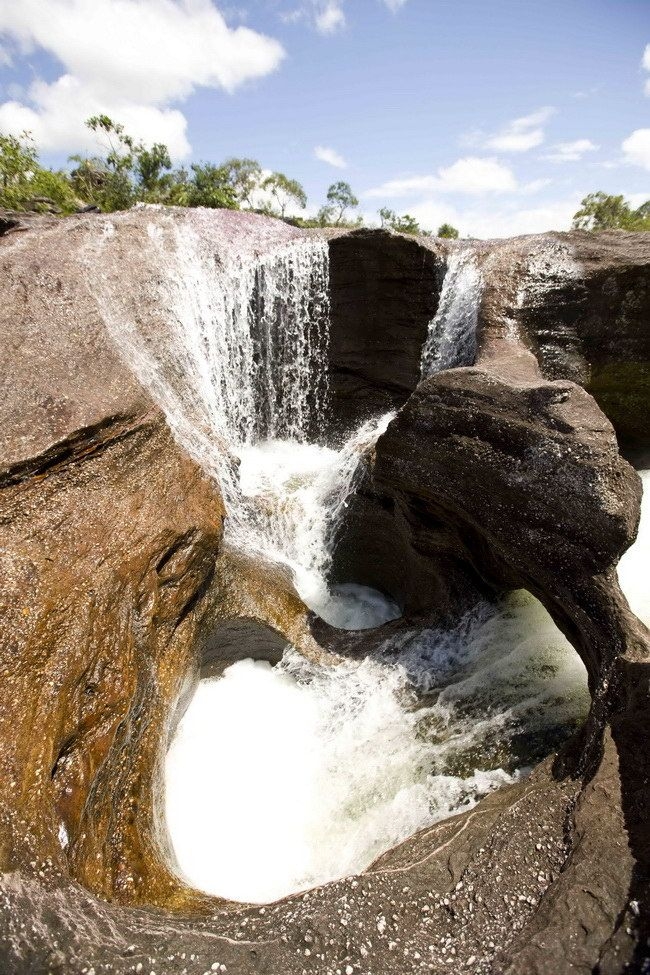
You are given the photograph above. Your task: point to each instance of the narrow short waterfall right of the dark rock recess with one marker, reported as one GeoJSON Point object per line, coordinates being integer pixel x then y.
{"type": "Point", "coordinates": [451, 338]}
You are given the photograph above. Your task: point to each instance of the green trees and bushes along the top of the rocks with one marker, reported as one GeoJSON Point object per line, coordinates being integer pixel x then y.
{"type": "Point", "coordinates": [130, 172]}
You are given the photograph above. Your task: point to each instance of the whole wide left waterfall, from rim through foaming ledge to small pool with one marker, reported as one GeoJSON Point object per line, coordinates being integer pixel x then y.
{"type": "Point", "coordinates": [235, 353]}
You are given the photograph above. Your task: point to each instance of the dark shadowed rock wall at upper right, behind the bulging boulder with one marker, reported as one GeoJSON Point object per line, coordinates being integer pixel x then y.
{"type": "Point", "coordinates": [583, 307]}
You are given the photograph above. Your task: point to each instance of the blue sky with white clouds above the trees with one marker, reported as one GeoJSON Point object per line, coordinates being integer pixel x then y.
{"type": "Point", "coordinates": [495, 115]}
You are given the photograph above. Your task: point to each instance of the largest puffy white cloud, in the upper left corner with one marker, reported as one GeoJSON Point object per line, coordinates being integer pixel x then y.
{"type": "Point", "coordinates": [129, 59]}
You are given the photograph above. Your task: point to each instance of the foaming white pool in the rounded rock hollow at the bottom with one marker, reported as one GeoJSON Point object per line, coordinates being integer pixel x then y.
{"type": "Point", "coordinates": [282, 778]}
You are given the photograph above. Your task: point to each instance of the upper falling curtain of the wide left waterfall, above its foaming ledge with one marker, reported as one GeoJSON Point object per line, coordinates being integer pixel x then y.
{"type": "Point", "coordinates": [233, 351]}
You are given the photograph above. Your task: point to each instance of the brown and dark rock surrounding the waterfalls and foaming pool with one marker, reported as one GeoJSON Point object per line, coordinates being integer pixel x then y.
{"type": "Point", "coordinates": [116, 589]}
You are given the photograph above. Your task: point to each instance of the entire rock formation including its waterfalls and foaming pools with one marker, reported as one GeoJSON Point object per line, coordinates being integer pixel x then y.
{"type": "Point", "coordinates": [162, 361]}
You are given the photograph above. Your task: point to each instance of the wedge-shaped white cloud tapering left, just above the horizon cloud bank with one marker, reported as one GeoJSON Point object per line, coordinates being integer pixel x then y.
{"type": "Point", "coordinates": [470, 175]}
